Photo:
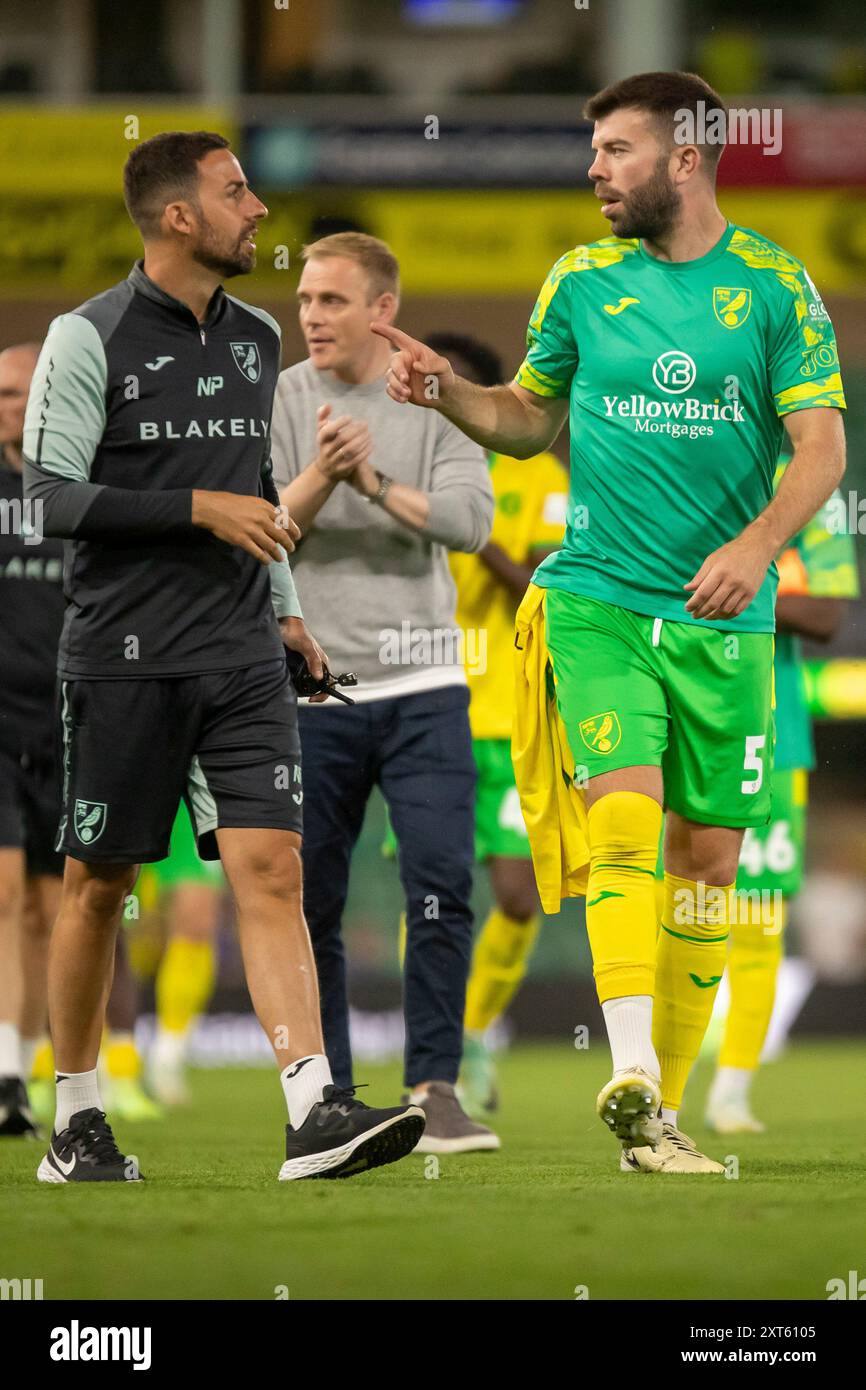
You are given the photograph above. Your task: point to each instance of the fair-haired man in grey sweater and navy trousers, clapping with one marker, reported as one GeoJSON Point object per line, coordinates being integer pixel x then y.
{"type": "Point", "coordinates": [380, 500]}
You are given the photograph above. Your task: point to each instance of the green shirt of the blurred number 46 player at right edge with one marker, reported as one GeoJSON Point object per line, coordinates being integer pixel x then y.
{"type": "Point", "coordinates": [819, 562]}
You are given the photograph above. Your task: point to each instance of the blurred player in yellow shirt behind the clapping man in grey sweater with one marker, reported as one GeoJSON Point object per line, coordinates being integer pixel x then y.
{"type": "Point", "coordinates": [530, 498]}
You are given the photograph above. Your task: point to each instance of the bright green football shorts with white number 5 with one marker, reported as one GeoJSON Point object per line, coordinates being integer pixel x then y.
{"type": "Point", "coordinates": [690, 700]}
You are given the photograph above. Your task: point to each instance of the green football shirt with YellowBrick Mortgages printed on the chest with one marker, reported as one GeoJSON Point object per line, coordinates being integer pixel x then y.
{"type": "Point", "coordinates": [679, 376]}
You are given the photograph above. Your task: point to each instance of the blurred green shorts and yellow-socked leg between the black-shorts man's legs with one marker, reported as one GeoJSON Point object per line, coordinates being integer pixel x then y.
{"type": "Point", "coordinates": [190, 890]}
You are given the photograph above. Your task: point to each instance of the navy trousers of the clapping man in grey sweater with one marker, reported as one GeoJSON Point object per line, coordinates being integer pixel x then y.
{"type": "Point", "coordinates": [418, 750]}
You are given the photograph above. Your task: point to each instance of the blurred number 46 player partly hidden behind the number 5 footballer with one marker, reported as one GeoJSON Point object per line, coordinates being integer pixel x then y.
{"type": "Point", "coordinates": [817, 573]}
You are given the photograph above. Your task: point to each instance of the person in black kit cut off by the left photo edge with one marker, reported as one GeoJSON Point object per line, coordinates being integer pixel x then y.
{"type": "Point", "coordinates": [31, 616]}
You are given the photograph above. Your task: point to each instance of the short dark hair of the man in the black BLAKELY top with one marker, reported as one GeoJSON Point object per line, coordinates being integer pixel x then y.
{"type": "Point", "coordinates": [163, 169]}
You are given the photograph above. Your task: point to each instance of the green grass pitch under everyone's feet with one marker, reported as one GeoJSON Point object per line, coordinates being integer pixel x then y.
{"type": "Point", "coordinates": [540, 1220]}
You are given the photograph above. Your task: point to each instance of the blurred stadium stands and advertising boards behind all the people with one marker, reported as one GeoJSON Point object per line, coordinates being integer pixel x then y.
{"type": "Point", "coordinates": [452, 130]}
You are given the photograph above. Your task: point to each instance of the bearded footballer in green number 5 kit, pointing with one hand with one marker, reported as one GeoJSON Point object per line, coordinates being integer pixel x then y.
{"type": "Point", "coordinates": [682, 350]}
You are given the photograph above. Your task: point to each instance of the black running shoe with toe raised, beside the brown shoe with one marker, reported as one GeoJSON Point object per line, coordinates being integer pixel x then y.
{"type": "Point", "coordinates": [343, 1138]}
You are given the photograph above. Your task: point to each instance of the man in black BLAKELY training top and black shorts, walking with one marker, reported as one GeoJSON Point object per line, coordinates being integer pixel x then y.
{"type": "Point", "coordinates": [148, 447]}
